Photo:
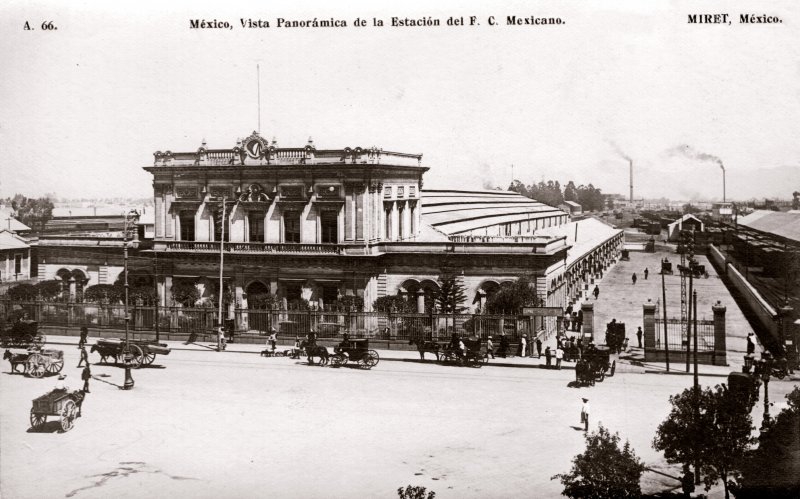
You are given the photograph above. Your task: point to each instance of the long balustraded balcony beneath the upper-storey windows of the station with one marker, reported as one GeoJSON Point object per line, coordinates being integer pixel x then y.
{"type": "Point", "coordinates": [249, 248]}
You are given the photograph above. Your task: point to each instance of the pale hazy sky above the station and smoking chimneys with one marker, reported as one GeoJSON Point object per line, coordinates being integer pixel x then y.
{"type": "Point", "coordinates": [83, 107]}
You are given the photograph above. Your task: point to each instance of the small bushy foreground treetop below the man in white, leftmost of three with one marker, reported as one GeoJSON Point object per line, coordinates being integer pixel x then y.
{"type": "Point", "coordinates": [604, 470]}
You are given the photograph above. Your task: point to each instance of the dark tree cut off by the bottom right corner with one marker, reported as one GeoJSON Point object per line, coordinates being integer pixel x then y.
{"type": "Point", "coordinates": [773, 469]}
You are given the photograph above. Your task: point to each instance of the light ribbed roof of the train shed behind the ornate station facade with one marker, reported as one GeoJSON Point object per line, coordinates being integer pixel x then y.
{"type": "Point", "coordinates": [455, 212]}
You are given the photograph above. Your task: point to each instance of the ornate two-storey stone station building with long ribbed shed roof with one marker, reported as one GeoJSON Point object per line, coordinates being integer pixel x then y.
{"type": "Point", "coordinates": [323, 224]}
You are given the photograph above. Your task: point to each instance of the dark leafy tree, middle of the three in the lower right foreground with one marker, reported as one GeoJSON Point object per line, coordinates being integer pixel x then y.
{"type": "Point", "coordinates": [708, 429]}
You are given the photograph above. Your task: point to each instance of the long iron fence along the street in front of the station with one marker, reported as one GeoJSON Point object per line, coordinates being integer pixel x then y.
{"type": "Point", "coordinates": [257, 322]}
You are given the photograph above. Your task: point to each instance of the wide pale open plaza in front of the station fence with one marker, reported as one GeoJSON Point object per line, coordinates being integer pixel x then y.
{"type": "Point", "coordinates": [234, 424]}
